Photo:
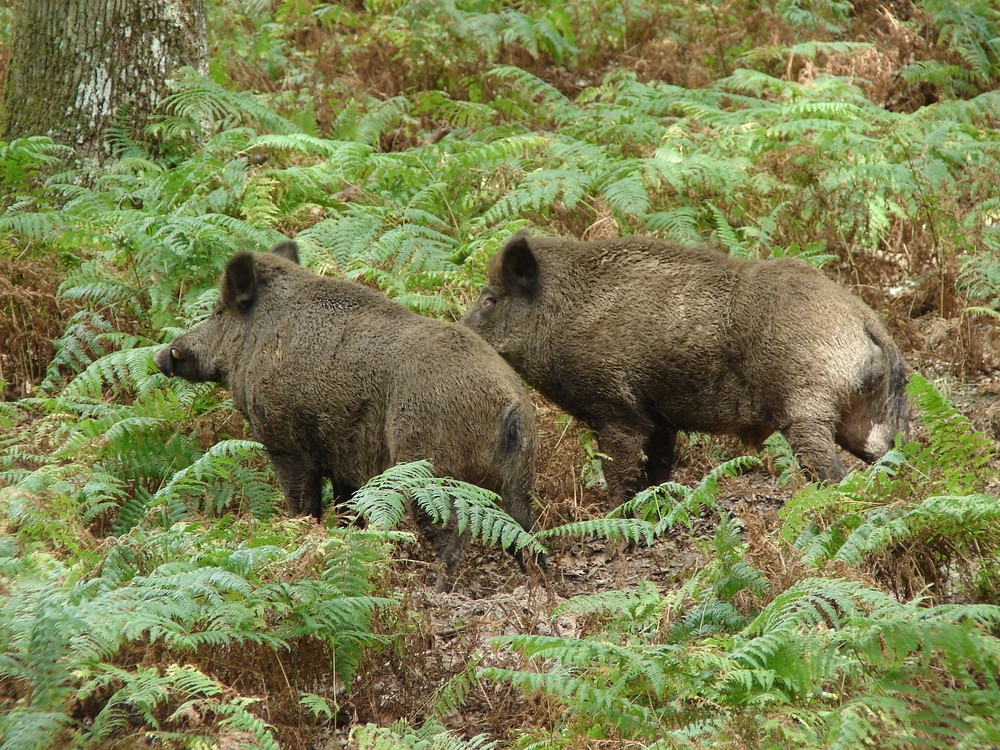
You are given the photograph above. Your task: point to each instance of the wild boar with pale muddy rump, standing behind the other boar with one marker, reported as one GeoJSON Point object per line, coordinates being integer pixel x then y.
{"type": "Point", "coordinates": [640, 338]}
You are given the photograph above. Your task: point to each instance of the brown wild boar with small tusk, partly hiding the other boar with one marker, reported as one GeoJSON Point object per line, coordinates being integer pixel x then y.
{"type": "Point", "coordinates": [338, 381]}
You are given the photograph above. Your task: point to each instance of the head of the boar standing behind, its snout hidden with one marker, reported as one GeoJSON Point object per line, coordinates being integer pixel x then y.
{"type": "Point", "coordinates": [507, 309]}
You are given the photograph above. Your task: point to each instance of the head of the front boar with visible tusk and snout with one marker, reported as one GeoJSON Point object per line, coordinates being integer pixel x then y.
{"type": "Point", "coordinates": [205, 352]}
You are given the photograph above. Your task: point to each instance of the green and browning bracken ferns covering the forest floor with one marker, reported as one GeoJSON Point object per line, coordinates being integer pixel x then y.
{"type": "Point", "coordinates": [151, 590]}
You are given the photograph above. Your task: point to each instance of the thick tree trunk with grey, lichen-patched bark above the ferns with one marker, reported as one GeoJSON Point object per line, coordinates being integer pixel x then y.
{"type": "Point", "coordinates": [78, 65]}
